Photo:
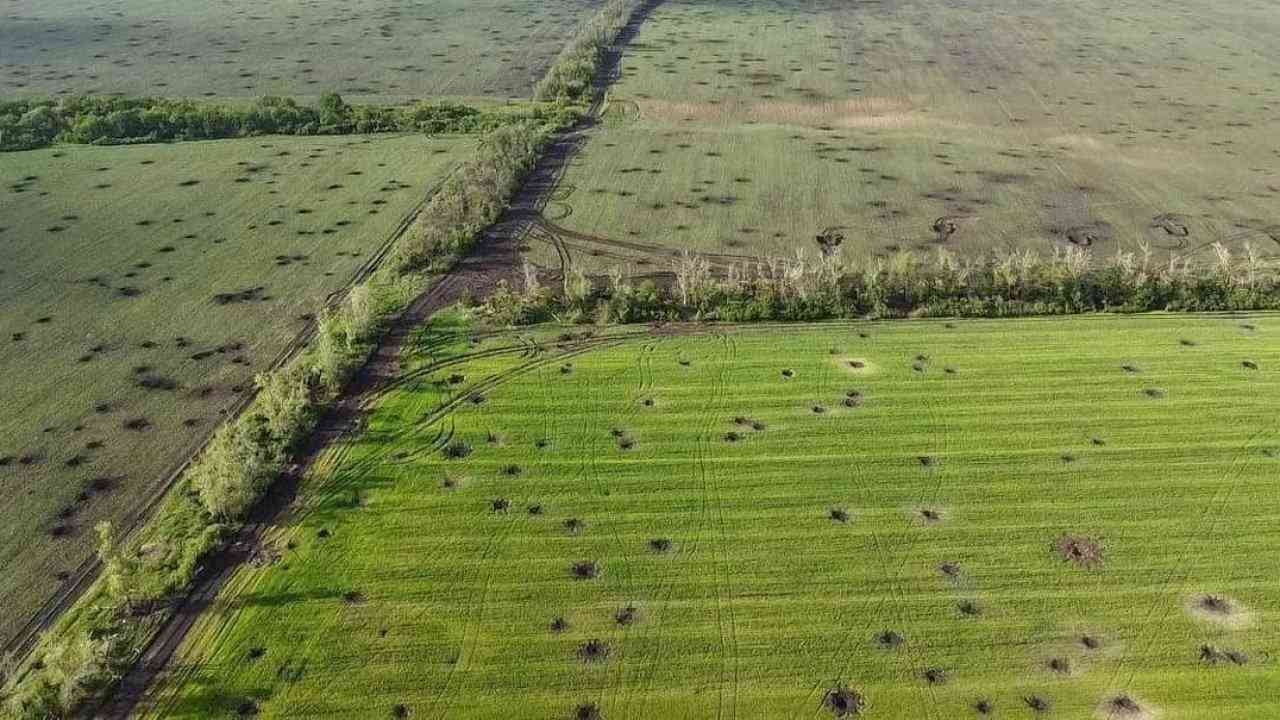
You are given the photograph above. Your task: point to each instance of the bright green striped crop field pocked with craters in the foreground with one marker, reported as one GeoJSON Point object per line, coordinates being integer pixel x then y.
{"type": "Point", "coordinates": [1059, 518]}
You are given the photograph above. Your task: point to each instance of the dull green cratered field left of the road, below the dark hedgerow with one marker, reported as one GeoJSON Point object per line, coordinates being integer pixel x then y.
{"type": "Point", "coordinates": [143, 289]}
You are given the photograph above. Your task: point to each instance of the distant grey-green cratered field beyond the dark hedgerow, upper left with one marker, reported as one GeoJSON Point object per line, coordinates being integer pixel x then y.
{"type": "Point", "coordinates": [365, 49]}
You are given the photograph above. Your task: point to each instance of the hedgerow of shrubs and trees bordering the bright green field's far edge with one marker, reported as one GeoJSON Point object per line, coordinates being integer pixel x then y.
{"type": "Point", "coordinates": [816, 286]}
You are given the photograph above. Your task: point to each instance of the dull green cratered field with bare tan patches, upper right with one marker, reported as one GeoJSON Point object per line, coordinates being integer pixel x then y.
{"type": "Point", "coordinates": [747, 127]}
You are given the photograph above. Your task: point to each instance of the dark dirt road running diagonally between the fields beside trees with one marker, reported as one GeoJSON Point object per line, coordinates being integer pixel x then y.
{"type": "Point", "coordinates": [497, 258]}
